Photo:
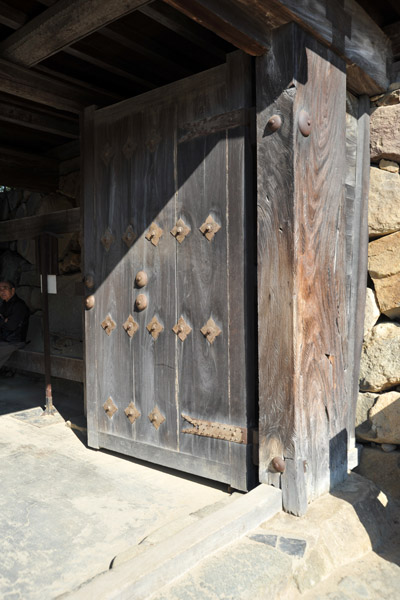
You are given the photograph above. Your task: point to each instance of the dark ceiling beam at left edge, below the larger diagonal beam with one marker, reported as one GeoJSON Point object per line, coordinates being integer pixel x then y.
{"type": "Point", "coordinates": [37, 87]}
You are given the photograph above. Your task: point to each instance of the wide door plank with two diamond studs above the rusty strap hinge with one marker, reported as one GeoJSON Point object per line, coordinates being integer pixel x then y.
{"type": "Point", "coordinates": [202, 289]}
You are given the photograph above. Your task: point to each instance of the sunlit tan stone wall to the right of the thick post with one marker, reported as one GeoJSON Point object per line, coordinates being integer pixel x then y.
{"type": "Point", "coordinates": [378, 409]}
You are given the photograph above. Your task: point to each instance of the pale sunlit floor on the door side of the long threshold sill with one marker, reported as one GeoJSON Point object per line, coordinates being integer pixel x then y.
{"type": "Point", "coordinates": [66, 511]}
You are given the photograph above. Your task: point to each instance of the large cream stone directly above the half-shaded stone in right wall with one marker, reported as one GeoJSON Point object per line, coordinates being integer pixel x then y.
{"type": "Point", "coordinates": [380, 358]}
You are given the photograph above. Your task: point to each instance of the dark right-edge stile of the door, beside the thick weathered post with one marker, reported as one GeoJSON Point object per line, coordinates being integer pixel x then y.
{"type": "Point", "coordinates": [241, 272]}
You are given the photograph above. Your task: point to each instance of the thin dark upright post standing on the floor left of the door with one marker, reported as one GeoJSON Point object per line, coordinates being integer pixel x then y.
{"type": "Point", "coordinates": [49, 410]}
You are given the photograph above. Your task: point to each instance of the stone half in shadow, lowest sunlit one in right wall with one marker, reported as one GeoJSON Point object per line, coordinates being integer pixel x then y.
{"type": "Point", "coordinates": [383, 419]}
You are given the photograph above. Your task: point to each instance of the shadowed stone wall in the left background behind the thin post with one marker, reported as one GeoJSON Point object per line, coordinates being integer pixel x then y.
{"type": "Point", "coordinates": [18, 263]}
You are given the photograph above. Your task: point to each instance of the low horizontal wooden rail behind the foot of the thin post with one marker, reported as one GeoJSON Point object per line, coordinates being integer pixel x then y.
{"type": "Point", "coordinates": [64, 367]}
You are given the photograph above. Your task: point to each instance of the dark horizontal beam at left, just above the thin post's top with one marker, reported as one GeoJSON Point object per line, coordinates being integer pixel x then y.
{"type": "Point", "coordinates": [62, 221]}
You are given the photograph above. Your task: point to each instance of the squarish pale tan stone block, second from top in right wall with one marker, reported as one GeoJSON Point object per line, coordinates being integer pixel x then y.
{"type": "Point", "coordinates": [383, 202]}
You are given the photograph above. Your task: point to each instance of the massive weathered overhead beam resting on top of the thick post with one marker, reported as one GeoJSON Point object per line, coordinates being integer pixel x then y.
{"type": "Point", "coordinates": [341, 25]}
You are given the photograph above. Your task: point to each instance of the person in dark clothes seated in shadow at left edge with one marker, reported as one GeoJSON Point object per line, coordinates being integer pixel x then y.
{"type": "Point", "coordinates": [14, 317]}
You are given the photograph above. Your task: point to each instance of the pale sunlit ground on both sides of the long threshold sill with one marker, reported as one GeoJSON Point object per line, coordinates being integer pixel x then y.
{"type": "Point", "coordinates": [68, 513]}
